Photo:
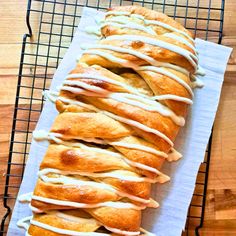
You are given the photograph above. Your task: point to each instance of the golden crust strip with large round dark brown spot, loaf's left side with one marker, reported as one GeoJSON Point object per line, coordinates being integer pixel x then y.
{"type": "Point", "coordinates": [76, 159]}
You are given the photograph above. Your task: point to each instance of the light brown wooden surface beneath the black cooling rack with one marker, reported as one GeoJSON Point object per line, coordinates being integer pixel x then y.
{"type": "Point", "coordinates": [220, 214]}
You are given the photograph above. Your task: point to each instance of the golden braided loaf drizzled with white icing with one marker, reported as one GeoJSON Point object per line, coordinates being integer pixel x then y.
{"type": "Point", "coordinates": [120, 111]}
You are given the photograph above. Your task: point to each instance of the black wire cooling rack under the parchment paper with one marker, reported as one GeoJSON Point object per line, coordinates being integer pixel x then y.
{"type": "Point", "coordinates": [54, 23]}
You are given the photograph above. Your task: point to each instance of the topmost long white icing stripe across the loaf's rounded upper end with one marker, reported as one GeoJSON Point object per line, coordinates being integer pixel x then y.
{"type": "Point", "coordinates": [150, 22]}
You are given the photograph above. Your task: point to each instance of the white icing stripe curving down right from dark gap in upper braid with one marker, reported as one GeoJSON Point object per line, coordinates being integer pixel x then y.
{"type": "Point", "coordinates": [169, 74]}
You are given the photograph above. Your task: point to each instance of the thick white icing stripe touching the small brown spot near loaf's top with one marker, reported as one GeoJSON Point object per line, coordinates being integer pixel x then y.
{"type": "Point", "coordinates": [155, 42]}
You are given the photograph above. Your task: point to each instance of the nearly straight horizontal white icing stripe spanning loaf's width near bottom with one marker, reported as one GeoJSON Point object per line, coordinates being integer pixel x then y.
{"type": "Point", "coordinates": [117, 204]}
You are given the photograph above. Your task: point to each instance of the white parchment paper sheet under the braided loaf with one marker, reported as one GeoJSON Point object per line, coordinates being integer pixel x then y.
{"type": "Point", "coordinates": [174, 197]}
